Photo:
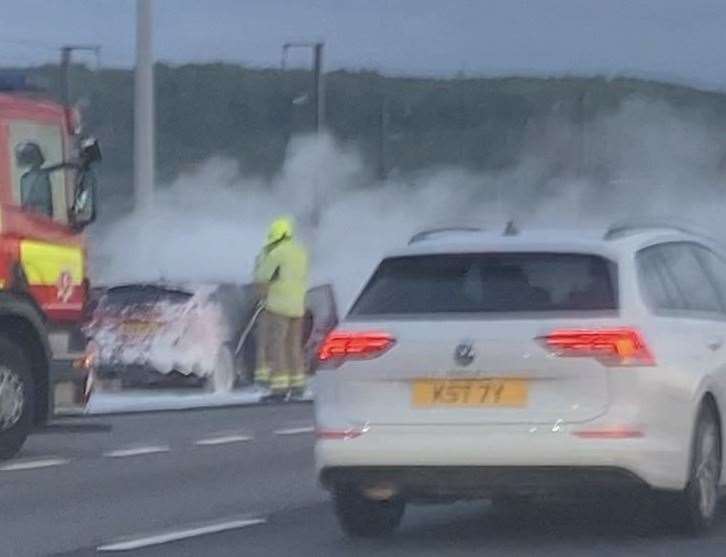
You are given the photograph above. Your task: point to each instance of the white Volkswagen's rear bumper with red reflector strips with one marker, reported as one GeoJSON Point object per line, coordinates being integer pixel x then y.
{"type": "Point", "coordinates": [651, 461]}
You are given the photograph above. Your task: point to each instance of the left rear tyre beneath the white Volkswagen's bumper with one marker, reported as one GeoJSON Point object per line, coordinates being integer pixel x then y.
{"type": "Point", "coordinates": [365, 518]}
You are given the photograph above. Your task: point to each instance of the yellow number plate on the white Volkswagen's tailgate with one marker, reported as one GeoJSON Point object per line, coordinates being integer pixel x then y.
{"type": "Point", "coordinates": [470, 392]}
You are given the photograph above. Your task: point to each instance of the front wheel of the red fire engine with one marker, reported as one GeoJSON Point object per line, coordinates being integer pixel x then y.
{"type": "Point", "coordinates": [17, 397]}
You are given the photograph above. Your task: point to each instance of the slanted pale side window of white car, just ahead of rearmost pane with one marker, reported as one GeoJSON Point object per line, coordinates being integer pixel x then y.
{"type": "Point", "coordinates": [683, 265]}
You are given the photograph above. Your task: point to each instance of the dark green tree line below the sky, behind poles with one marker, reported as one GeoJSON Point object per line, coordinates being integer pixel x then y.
{"type": "Point", "coordinates": [400, 124]}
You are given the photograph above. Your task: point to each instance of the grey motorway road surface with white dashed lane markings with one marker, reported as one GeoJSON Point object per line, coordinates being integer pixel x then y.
{"type": "Point", "coordinates": [240, 481]}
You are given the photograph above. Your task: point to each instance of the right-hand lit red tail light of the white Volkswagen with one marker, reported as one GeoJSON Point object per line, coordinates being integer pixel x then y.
{"type": "Point", "coordinates": [615, 347]}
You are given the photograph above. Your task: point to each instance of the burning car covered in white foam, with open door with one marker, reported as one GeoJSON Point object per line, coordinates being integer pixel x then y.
{"type": "Point", "coordinates": [154, 335]}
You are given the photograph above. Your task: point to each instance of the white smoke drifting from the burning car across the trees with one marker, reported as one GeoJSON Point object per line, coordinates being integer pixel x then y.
{"type": "Point", "coordinates": [647, 159]}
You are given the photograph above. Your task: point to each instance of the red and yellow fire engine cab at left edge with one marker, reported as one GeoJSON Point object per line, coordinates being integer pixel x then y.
{"type": "Point", "coordinates": [47, 198]}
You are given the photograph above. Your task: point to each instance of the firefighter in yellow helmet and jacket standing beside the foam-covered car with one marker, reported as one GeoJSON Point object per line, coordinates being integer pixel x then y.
{"type": "Point", "coordinates": [281, 273]}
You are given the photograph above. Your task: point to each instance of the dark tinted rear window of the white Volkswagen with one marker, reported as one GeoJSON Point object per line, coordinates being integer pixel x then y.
{"type": "Point", "coordinates": [489, 283]}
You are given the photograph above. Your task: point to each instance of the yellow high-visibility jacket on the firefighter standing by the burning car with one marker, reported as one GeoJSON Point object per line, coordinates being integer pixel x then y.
{"type": "Point", "coordinates": [284, 269]}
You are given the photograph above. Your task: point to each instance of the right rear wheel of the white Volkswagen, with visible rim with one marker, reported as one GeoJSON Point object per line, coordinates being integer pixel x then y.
{"type": "Point", "coordinates": [693, 510]}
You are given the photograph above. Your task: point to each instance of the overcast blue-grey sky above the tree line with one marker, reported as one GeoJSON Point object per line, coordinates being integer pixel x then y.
{"type": "Point", "coordinates": [681, 40]}
